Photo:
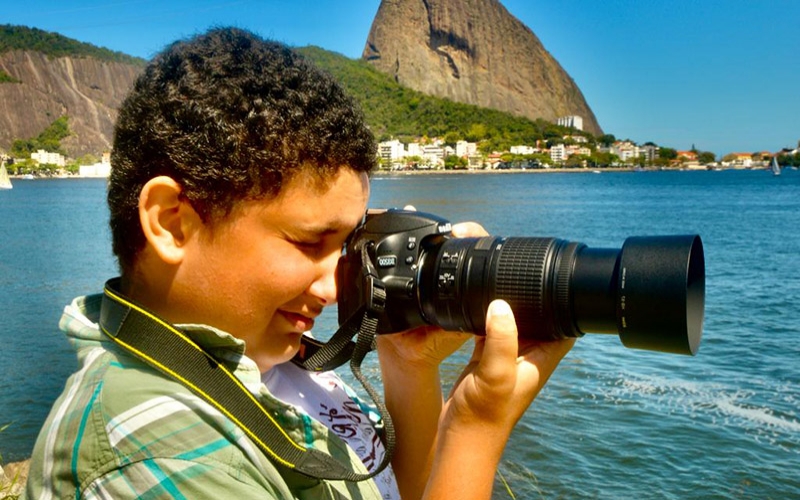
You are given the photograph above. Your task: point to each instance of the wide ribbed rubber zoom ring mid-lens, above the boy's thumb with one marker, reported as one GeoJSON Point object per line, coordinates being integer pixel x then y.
{"type": "Point", "coordinates": [520, 279]}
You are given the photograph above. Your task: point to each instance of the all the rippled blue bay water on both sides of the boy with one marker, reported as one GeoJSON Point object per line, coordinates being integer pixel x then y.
{"type": "Point", "coordinates": [612, 422]}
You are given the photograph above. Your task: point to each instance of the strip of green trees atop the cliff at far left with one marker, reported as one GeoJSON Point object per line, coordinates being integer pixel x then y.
{"type": "Point", "coordinates": [55, 45]}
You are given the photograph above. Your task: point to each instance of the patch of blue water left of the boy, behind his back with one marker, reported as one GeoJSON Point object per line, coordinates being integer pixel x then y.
{"type": "Point", "coordinates": [54, 245]}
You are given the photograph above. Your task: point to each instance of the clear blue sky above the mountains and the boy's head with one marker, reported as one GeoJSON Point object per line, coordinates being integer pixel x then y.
{"type": "Point", "coordinates": [718, 75]}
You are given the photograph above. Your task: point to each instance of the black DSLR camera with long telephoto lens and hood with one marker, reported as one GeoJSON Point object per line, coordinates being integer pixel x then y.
{"type": "Point", "coordinates": [650, 292]}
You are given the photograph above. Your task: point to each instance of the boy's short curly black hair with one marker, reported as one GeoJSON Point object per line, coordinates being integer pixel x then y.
{"type": "Point", "coordinates": [230, 117]}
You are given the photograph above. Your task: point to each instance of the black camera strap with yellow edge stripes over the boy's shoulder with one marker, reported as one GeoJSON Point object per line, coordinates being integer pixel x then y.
{"type": "Point", "coordinates": [165, 348]}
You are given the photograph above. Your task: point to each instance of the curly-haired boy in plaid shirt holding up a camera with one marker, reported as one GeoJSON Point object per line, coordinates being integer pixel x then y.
{"type": "Point", "coordinates": [238, 172]}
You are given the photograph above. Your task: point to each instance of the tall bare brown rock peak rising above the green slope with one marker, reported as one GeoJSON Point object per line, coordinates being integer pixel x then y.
{"type": "Point", "coordinates": [476, 52]}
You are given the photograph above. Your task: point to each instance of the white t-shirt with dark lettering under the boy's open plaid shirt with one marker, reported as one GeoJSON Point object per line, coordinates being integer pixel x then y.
{"type": "Point", "coordinates": [326, 398]}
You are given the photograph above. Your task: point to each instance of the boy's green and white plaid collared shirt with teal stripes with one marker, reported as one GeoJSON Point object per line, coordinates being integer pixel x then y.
{"type": "Point", "coordinates": [122, 430]}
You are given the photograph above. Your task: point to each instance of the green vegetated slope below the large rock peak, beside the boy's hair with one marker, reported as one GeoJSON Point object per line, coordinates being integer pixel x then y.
{"type": "Point", "coordinates": [396, 111]}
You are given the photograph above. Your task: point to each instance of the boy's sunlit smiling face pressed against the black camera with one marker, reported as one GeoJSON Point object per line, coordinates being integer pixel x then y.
{"type": "Point", "coordinates": [264, 274]}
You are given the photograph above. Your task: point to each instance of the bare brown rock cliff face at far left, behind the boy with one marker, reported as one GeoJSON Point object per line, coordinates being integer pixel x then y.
{"type": "Point", "coordinates": [88, 90]}
